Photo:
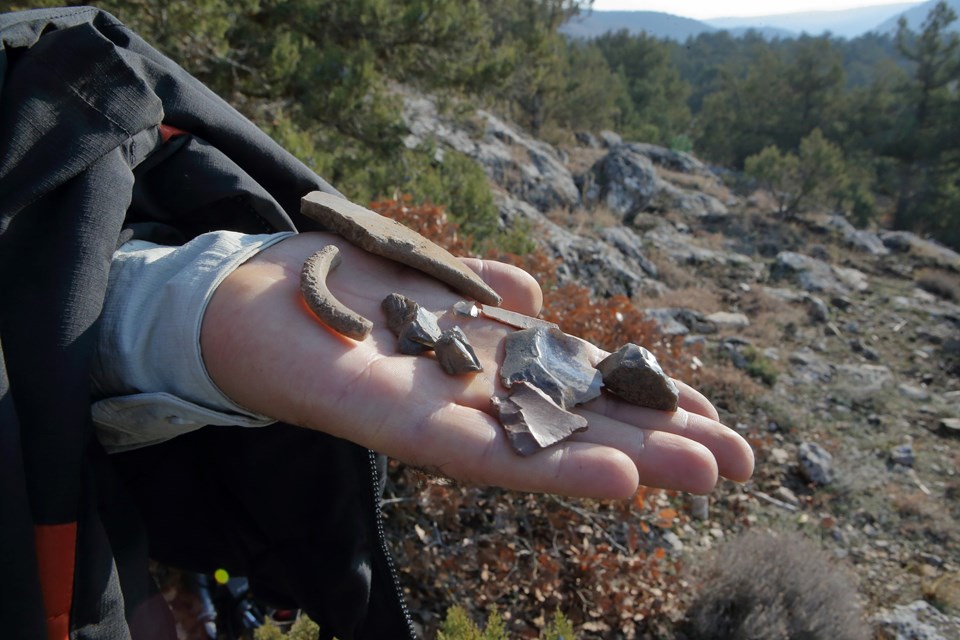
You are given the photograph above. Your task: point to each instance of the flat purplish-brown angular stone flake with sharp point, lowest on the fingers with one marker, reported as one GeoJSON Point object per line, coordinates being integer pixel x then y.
{"type": "Point", "coordinates": [533, 421]}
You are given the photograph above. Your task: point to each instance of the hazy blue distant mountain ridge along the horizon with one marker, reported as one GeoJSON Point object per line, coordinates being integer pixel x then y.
{"type": "Point", "coordinates": [847, 23]}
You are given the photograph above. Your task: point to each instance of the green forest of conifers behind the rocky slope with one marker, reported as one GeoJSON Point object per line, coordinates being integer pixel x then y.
{"type": "Point", "coordinates": [319, 75]}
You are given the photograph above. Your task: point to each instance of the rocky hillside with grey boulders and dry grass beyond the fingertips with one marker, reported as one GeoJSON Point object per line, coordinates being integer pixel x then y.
{"type": "Point", "coordinates": [835, 351]}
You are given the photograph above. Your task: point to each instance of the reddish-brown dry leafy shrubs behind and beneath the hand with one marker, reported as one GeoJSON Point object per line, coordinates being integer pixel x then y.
{"type": "Point", "coordinates": [601, 563]}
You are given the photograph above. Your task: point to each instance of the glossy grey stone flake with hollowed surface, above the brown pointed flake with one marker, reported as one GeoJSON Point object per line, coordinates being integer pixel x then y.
{"type": "Point", "coordinates": [552, 361]}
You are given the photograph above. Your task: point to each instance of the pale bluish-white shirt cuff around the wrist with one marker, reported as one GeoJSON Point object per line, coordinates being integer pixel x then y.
{"type": "Point", "coordinates": [148, 368]}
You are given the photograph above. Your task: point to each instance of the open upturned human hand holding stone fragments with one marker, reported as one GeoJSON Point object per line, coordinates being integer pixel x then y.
{"type": "Point", "coordinates": [266, 351]}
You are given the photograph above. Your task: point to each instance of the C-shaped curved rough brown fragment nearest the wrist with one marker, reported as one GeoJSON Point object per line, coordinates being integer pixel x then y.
{"type": "Point", "coordinates": [330, 311]}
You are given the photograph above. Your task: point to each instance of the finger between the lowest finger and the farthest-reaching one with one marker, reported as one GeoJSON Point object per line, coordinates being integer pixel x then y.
{"type": "Point", "coordinates": [663, 459]}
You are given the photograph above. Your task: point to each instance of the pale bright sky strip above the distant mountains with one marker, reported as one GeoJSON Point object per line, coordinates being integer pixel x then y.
{"type": "Point", "coordinates": [703, 9]}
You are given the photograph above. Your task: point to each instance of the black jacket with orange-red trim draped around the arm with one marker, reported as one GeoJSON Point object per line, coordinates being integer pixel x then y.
{"type": "Point", "coordinates": [84, 163]}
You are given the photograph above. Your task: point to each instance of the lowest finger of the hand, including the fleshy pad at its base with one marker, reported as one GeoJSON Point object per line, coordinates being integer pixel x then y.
{"type": "Point", "coordinates": [469, 445]}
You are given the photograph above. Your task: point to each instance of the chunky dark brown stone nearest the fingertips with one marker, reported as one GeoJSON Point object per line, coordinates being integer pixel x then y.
{"type": "Point", "coordinates": [634, 374]}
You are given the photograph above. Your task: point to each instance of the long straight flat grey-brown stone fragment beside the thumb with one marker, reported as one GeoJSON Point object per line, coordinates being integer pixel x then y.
{"type": "Point", "coordinates": [388, 238]}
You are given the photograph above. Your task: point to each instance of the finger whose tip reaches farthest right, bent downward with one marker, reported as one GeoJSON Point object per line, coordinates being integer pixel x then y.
{"type": "Point", "coordinates": [733, 455]}
